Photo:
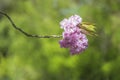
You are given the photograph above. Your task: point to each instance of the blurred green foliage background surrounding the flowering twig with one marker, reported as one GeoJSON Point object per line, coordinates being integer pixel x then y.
{"type": "Point", "coordinates": [23, 58]}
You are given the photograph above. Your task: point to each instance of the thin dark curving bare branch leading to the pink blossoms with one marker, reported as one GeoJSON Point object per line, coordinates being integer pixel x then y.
{"type": "Point", "coordinates": [27, 34]}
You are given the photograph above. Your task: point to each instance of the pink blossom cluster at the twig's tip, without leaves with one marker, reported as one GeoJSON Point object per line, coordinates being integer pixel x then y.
{"type": "Point", "coordinates": [73, 38]}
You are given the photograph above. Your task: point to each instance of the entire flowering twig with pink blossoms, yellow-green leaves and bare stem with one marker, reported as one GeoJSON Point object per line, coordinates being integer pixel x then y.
{"type": "Point", "coordinates": [74, 34]}
